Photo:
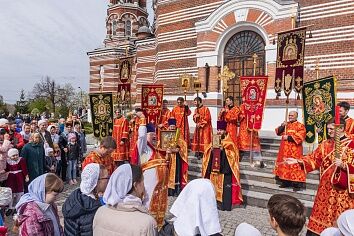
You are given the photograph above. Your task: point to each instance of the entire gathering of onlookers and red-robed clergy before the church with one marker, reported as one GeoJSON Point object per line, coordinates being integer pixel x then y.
{"type": "Point", "coordinates": [130, 175]}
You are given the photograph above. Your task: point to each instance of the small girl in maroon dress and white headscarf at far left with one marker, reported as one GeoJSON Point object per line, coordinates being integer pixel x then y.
{"type": "Point", "coordinates": [17, 174]}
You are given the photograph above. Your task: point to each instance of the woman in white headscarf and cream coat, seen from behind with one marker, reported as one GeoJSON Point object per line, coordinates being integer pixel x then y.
{"type": "Point", "coordinates": [124, 213]}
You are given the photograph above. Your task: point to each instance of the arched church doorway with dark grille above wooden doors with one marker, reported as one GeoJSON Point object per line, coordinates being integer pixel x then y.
{"type": "Point", "coordinates": [238, 57]}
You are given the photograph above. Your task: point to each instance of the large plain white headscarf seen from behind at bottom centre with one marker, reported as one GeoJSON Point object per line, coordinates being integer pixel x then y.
{"type": "Point", "coordinates": [195, 210]}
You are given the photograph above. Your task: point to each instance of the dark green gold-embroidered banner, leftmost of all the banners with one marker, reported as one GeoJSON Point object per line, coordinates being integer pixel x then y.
{"type": "Point", "coordinates": [102, 114]}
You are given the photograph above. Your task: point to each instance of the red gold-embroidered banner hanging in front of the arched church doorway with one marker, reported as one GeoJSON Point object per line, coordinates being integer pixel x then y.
{"type": "Point", "coordinates": [253, 91]}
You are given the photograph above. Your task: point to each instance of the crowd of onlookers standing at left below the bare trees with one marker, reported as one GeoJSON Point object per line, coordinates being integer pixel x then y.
{"type": "Point", "coordinates": [30, 147]}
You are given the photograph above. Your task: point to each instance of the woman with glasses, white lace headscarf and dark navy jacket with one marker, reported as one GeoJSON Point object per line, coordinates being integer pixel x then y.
{"type": "Point", "coordinates": [80, 207]}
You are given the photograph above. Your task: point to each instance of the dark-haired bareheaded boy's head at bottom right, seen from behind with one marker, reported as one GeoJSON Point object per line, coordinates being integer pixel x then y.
{"type": "Point", "coordinates": [287, 214]}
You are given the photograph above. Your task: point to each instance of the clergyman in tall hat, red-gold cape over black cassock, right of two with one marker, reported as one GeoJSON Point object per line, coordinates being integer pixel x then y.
{"type": "Point", "coordinates": [221, 166]}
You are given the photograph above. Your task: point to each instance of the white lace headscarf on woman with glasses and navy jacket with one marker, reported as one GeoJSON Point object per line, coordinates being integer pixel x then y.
{"type": "Point", "coordinates": [89, 178]}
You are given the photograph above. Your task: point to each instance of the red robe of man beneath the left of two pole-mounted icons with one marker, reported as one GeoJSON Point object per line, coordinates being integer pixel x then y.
{"type": "Point", "coordinates": [181, 116]}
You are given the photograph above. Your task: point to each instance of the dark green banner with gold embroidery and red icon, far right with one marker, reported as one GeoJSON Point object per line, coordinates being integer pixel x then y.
{"type": "Point", "coordinates": [319, 100]}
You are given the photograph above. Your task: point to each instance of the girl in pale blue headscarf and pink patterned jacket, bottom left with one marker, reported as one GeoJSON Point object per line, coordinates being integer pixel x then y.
{"type": "Point", "coordinates": [37, 213]}
